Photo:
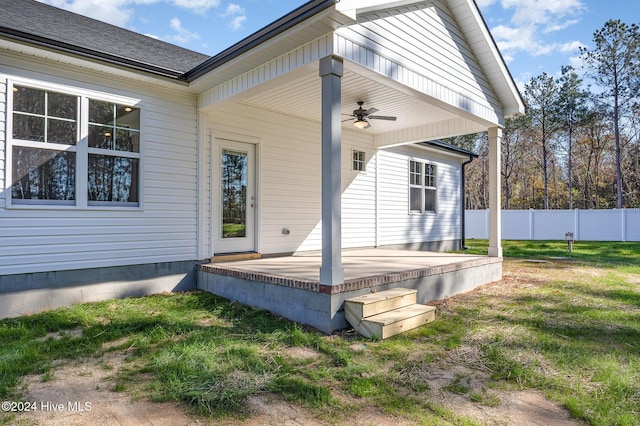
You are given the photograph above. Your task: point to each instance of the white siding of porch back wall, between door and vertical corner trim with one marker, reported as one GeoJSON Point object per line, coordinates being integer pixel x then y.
{"type": "Point", "coordinates": [290, 180]}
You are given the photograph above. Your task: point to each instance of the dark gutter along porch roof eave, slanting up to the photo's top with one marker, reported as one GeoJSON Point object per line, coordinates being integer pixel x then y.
{"type": "Point", "coordinates": [272, 30]}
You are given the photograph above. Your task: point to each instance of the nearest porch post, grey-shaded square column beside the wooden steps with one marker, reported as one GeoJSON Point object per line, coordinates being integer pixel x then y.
{"type": "Point", "coordinates": [331, 271]}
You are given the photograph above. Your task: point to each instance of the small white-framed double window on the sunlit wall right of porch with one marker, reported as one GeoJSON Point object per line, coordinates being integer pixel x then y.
{"type": "Point", "coordinates": [422, 187]}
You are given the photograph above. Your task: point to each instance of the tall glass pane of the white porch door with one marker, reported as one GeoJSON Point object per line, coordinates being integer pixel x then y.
{"type": "Point", "coordinates": [234, 193]}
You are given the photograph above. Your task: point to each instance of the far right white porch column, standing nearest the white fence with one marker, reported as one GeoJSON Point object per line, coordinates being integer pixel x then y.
{"type": "Point", "coordinates": [495, 232]}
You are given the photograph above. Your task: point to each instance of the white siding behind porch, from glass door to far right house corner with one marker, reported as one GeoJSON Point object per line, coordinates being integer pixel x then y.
{"type": "Point", "coordinates": [290, 185]}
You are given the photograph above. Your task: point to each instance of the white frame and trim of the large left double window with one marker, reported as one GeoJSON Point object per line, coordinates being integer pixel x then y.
{"type": "Point", "coordinates": [81, 149]}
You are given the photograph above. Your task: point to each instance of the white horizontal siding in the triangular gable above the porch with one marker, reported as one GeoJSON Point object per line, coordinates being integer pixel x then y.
{"type": "Point", "coordinates": [423, 48]}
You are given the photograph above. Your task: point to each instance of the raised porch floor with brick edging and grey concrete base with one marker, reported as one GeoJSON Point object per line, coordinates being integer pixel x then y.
{"type": "Point", "coordinates": [290, 285]}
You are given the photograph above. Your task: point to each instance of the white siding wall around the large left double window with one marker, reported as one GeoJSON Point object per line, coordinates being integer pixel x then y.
{"type": "Point", "coordinates": [163, 229]}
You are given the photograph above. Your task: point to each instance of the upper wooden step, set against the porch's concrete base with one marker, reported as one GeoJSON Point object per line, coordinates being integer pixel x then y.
{"type": "Point", "coordinates": [376, 303]}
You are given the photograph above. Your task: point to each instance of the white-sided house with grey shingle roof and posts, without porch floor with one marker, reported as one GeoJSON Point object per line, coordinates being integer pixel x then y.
{"type": "Point", "coordinates": [126, 161]}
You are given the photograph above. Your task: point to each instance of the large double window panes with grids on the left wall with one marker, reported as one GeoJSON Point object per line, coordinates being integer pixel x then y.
{"type": "Point", "coordinates": [73, 150]}
